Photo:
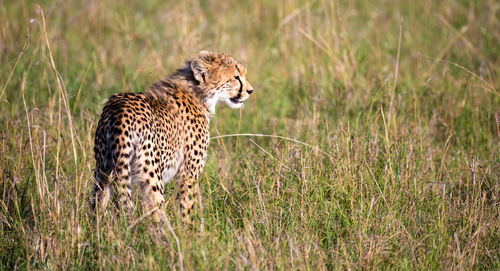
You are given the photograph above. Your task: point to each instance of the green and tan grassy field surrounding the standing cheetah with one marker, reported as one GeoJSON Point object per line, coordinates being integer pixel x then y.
{"type": "Point", "coordinates": [394, 106]}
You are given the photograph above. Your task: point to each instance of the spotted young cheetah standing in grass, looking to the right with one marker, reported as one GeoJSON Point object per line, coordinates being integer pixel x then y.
{"type": "Point", "coordinates": [148, 138]}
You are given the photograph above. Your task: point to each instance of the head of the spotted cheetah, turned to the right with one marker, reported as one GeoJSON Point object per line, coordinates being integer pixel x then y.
{"type": "Point", "coordinates": [221, 79]}
